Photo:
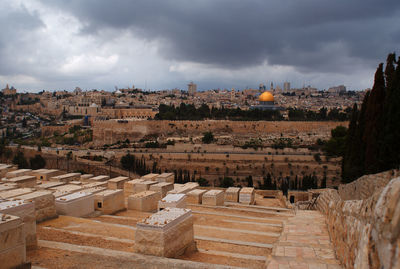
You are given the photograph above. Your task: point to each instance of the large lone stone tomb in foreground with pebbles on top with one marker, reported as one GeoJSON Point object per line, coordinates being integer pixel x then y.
{"type": "Point", "coordinates": [167, 233]}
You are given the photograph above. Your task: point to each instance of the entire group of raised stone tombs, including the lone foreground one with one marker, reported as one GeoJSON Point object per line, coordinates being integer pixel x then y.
{"type": "Point", "coordinates": [30, 196]}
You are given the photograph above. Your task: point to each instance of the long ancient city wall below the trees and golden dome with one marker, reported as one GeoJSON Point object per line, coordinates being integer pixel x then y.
{"type": "Point", "coordinates": [108, 132]}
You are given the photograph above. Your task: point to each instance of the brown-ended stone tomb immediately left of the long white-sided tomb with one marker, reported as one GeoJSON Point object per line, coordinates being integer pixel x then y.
{"type": "Point", "coordinates": [44, 204]}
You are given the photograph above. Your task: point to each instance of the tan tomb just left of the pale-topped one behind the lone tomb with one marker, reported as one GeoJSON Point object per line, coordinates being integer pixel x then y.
{"type": "Point", "coordinates": [144, 201]}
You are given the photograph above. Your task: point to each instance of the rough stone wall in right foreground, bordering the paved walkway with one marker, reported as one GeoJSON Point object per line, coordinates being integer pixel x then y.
{"type": "Point", "coordinates": [365, 232]}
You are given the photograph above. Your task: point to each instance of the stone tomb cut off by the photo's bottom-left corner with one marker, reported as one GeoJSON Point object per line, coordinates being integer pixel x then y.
{"type": "Point", "coordinates": [12, 242]}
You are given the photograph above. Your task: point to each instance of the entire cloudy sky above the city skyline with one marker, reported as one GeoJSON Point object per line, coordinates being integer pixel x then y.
{"type": "Point", "coordinates": [164, 44]}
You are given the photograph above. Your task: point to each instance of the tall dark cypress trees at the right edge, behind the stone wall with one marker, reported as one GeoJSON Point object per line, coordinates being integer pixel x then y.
{"type": "Point", "coordinates": [373, 140]}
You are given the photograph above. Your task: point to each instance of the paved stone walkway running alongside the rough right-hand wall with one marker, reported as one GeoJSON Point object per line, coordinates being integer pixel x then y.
{"type": "Point", "coordinates": [304, 244]}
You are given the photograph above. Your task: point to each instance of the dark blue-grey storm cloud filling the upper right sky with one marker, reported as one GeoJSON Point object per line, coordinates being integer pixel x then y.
{"type": "Point", "coordinates": [311, 35]}
